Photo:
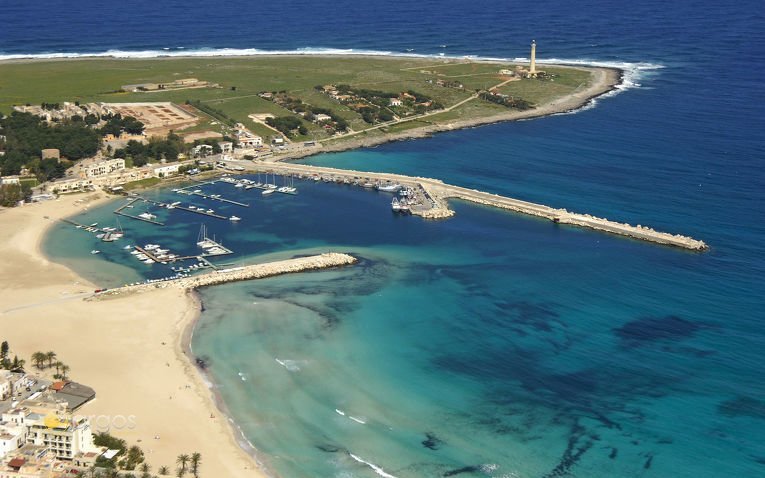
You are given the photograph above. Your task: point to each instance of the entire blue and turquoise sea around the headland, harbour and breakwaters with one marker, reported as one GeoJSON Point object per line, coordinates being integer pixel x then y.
{"type": "Point", "coordinates": [490, 340]}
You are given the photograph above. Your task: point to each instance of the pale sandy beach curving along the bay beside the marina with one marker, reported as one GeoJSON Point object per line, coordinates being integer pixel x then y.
{"type": "Point", "coordinates": [129, 349]}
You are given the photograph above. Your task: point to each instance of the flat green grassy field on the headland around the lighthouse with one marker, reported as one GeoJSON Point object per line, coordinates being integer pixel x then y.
{"type": "Point", "coordinates": [241, 79]}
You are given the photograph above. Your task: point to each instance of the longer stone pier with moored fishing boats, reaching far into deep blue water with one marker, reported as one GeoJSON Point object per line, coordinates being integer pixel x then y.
{"type": "Point", "coordinates": [433, 196]}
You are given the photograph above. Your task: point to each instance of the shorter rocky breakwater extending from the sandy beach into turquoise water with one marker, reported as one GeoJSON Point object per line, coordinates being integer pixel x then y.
{"type": "Point", "coordinates": [247, 272]}
